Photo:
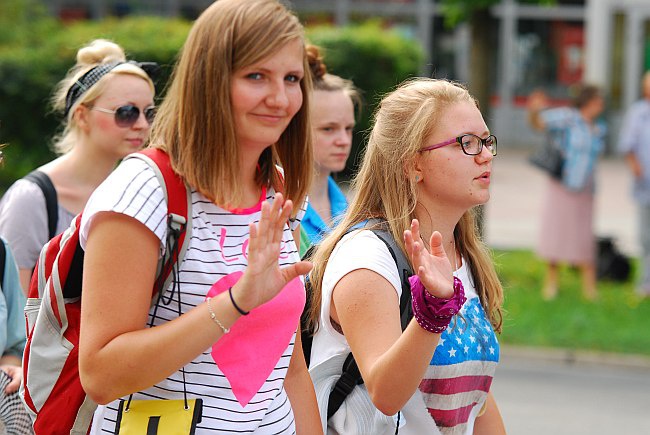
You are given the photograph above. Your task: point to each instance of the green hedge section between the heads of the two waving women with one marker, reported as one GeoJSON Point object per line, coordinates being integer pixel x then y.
{"type": "Point", "coordinates": [375, 59]}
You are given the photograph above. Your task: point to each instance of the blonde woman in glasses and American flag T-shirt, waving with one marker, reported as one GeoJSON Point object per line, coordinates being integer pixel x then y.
{"type": "Point", "coordinates": [427, 165]}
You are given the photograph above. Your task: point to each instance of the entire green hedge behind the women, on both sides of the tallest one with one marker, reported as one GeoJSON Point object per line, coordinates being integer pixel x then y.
{"type": "Point", "coordinates": [32, 62]}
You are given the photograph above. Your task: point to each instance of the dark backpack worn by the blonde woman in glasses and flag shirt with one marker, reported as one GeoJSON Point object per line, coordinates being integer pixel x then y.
{"type": "Point", "coordinates": [350, 375]}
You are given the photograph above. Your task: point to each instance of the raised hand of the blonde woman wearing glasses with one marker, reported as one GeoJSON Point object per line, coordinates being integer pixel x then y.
{"type": "Point", "coordinates": [432, 266]}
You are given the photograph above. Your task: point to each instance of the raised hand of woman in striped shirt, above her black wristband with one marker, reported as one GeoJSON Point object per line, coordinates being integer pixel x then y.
{"type": "Point", "coordinates": [263, 279]}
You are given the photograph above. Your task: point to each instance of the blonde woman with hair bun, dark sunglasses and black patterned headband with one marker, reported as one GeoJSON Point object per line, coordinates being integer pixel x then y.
{"type": "Point", "coordinates": [108, 106]}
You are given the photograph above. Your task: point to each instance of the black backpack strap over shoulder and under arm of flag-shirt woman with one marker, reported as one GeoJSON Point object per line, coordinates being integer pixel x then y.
{"type": "Point", "coordinates": [351, 376]}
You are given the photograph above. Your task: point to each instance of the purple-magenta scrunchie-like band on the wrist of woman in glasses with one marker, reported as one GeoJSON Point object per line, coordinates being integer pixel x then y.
{"type": "Point", "coordinates": [434, 314]}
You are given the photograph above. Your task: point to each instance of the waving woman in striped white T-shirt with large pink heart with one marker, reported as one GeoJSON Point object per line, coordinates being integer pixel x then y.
{"type": "Point", "coordinates": [235, 125]}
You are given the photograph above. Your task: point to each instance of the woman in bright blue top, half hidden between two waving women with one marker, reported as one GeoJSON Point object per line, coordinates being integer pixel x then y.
{"type": "Point", "coordinates": [334, 101]}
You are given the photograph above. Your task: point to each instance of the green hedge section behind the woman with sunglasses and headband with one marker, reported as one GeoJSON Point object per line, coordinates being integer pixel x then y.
{"type": "Point", "coordinates": [32, 63]}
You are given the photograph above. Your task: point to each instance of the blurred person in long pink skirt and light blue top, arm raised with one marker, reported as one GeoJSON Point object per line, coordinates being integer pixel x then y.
{"type": "Point", "coordinates": [566, 231]}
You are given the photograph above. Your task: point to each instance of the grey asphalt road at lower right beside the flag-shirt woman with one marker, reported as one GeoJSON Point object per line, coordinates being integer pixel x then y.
{"type": "Point", "coordinates": [550, 395]}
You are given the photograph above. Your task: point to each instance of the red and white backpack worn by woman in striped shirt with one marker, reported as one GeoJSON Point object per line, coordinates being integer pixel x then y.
{"type": "Point", "coordinates": [51, 389]}
